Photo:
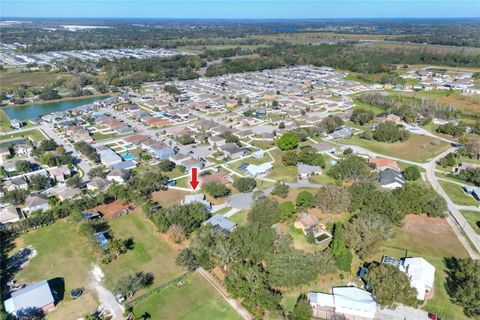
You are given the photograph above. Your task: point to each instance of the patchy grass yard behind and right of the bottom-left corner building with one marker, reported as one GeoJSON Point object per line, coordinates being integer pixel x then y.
{"type": "Point", "coordinates": [61, 253]}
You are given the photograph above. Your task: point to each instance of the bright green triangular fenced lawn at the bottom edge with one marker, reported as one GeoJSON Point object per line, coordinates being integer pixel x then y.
{"type": "Point", "coordinates": [196, 300]}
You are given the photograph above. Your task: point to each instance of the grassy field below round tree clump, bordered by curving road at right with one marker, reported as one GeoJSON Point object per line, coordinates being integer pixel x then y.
{"type": "Point", "coordinates": [417, 148]}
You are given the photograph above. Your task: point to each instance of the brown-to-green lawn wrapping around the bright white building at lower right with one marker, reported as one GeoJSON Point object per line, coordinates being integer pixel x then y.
{"type": "Point", "coordinates": [432, 239]}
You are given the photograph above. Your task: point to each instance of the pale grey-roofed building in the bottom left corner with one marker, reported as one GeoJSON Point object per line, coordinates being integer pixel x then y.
{"type": "Point", "coordinates": [32, 297]}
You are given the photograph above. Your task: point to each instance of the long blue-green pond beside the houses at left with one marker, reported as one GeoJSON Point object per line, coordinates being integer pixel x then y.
{"type": "Point", "coordinates": [32, 111]}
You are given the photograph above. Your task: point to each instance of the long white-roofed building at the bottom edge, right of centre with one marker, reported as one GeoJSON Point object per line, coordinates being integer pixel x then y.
{"type": "Point", "coordinates": [351, 302]}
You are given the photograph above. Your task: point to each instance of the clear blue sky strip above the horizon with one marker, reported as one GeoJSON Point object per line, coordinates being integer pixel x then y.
{"type": "Point", "coordinates": [231, 9]}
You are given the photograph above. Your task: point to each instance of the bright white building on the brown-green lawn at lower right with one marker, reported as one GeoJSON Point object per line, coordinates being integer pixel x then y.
{"type": "Point", "coordinates": [421, 274]}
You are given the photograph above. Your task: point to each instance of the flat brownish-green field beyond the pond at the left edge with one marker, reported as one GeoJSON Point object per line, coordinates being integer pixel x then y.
{"type": "Point", "coordinates": [13, 79]}
